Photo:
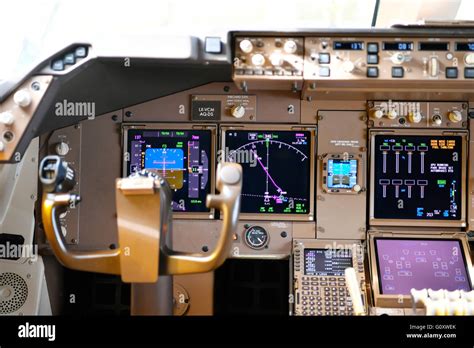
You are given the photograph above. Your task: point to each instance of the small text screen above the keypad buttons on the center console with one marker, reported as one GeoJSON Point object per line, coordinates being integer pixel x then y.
{"type": "Point", "coordinates": [327, 262]}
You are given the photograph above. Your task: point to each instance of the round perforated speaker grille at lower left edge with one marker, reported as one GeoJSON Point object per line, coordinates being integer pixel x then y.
{"type": "Point", "coordinates": [19, 292]}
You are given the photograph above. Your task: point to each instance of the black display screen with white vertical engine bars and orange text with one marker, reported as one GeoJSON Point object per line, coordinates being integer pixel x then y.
{"type": "Point", "coordinates": [417, 177]}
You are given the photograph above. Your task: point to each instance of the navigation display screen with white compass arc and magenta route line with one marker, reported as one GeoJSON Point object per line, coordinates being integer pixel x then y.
{"type": "Point", "coordinates": [276, 169]}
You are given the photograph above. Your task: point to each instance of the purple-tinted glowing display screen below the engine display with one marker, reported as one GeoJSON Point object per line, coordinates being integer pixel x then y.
{"type": "Point", "coordinates": [404, 264]}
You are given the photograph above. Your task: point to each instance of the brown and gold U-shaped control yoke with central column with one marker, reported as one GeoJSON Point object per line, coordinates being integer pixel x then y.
{"type": "Point", "coordinates": [144, 218]}
